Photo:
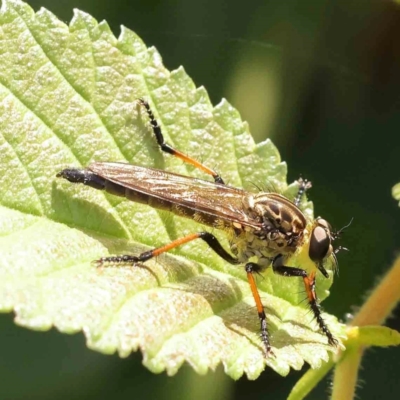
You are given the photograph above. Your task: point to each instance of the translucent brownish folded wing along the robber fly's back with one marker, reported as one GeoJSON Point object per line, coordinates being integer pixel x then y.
{"type": "Point", "coordinates": [221, 201]}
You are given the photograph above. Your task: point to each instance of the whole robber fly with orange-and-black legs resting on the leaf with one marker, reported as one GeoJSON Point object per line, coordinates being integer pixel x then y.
{"type": "Point", "coordinates": [266, 228]}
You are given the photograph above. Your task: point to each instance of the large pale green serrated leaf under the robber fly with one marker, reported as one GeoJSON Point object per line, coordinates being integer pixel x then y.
{"type": "Point", "coordinates": [68, 97]}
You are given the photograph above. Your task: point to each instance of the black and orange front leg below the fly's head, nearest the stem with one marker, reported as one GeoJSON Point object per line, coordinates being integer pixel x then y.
{"type": "Point", "coordinates": [309, 284]}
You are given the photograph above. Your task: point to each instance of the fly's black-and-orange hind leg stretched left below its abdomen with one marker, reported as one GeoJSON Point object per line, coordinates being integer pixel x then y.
{"type": "Point", "coordinates": [209, 238]}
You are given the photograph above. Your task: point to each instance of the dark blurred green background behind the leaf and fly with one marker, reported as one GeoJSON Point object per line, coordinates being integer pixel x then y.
{"type": "Point", "coordinates": [321, 78]}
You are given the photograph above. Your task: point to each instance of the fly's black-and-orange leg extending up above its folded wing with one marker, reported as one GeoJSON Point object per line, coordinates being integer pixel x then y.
{"type": "Point", "coordinates": [170, 150]}
